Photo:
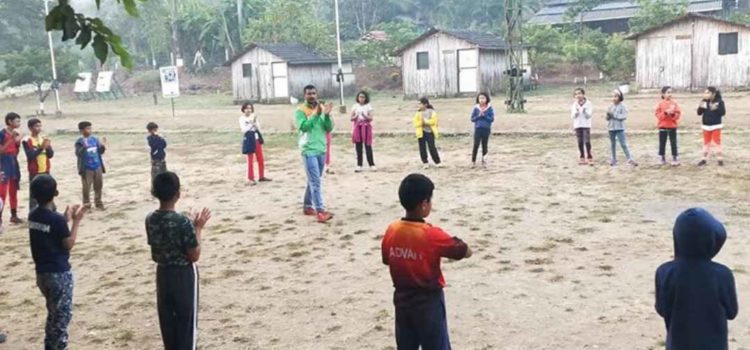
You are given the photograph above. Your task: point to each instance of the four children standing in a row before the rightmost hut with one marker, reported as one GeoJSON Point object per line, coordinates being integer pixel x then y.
{"type": "Point", "coordinates": [668, 114]}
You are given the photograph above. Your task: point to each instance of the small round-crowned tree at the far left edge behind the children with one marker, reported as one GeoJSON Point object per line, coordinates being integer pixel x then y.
{"type": "Point", "coordinates": [32, 66]}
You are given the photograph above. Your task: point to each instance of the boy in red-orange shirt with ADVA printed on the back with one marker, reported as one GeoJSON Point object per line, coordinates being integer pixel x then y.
{"type": "Point", "coordinates": [412, 249]}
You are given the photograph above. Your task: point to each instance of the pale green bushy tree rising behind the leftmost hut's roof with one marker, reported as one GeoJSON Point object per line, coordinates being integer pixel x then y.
{"type": "Point", "coordinates": [291, 21]}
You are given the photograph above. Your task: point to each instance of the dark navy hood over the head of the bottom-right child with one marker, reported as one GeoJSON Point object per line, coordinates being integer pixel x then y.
{"type": "Point", "coordinates": [698, 235]}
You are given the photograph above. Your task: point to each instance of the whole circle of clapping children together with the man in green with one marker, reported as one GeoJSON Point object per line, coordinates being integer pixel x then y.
{"type": "Point", "coordinates": [695, 296]}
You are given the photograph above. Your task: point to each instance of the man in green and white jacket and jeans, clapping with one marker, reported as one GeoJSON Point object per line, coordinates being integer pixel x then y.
{"type": "Point", "coordinates": [313, 122]}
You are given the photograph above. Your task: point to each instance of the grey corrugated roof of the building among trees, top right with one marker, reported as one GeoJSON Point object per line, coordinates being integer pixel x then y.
{"type": "Point", "coordinates": [554, 11]}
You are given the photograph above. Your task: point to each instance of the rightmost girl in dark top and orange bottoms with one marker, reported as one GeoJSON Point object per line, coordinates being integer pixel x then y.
{"type": "Point", "coordinates": [712, 109]}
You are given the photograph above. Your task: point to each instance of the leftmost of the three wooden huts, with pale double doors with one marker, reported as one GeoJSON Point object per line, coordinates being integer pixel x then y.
{"type": "Point", "coordinates": [272, 73]}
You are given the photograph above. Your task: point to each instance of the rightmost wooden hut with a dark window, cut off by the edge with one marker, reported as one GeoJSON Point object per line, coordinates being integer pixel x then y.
{"type": "Point", "coordinates": [693, 51]}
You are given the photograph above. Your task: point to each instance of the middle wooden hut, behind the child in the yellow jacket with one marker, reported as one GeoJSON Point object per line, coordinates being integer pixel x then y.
{"type": "Point", "coordinates": [452, 63]}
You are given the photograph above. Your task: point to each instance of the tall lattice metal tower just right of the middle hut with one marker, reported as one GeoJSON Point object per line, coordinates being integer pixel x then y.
{"type": "Point", "coordinates": [514, 40]}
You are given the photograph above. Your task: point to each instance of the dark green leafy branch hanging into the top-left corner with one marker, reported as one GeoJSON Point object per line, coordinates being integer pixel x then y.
{"type": "Point", "coordinates": [87, 30]}
